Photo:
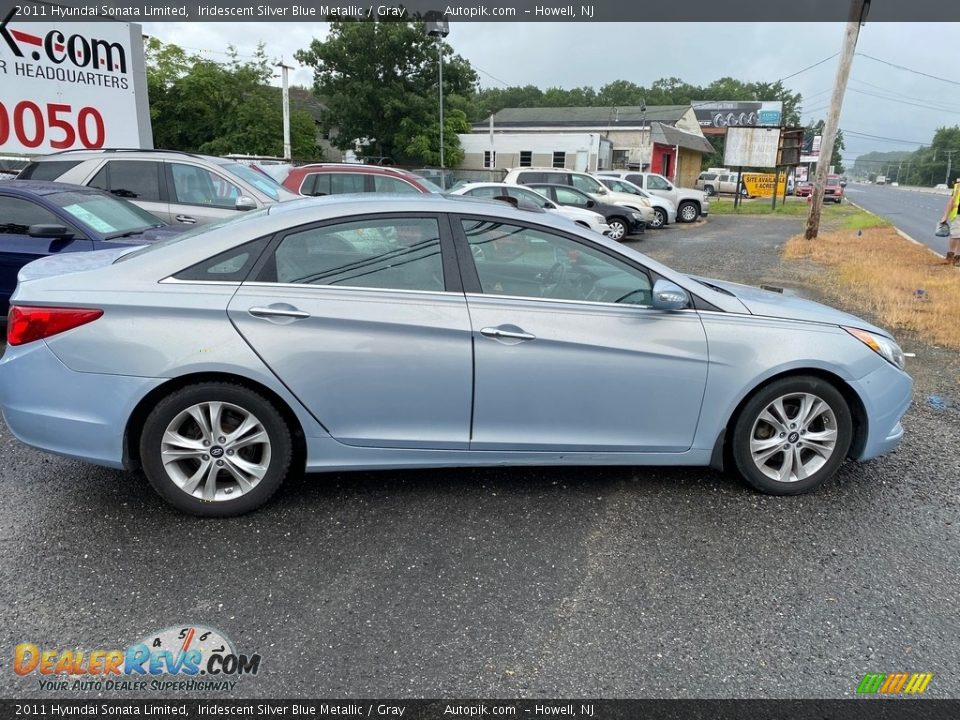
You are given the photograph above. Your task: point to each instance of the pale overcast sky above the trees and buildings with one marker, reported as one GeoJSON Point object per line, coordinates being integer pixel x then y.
{"type": "Point", "coordinates": [882, 100]}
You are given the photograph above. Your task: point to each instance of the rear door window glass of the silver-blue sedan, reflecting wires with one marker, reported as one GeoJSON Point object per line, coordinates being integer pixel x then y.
{"type": "Point", "coordinates": [397, 254]}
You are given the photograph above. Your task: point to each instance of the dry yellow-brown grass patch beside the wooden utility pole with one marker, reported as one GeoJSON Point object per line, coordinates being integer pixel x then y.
{"type": "Point", "coordinates": [902, 284]}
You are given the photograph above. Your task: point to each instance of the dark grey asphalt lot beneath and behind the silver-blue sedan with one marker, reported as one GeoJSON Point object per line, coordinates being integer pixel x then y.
{"type": "Point", "coordinates": [572, 582]}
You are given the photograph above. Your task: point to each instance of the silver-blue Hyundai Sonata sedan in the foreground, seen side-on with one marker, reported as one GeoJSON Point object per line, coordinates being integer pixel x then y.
{"type": "Point", "coordinates": [384, 332]}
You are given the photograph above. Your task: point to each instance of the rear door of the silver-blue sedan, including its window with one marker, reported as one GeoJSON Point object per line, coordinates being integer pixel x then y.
{"type": "Point", "coordinates": [365, 321]}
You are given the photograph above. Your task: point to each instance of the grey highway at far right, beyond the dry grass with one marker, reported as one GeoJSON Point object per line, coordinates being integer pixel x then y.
{"type": "Point", "coordinates": [914, 211]}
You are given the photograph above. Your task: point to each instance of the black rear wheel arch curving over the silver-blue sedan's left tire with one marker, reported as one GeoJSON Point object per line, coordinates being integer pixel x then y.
{"type": "Point", "coordinates": [135, 424]}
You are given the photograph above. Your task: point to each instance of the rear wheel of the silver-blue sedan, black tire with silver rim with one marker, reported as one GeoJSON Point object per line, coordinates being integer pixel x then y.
{"type": "Point", "coordinates": [262, 459]}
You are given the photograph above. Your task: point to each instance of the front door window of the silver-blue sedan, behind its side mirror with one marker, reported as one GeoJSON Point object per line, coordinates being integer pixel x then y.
{"type": "Point", "coordinates": [523, 262]}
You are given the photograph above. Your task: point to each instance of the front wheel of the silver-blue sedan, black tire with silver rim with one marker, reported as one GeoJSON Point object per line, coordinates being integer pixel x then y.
{"type": "Point", "coordinates": [789, 444]}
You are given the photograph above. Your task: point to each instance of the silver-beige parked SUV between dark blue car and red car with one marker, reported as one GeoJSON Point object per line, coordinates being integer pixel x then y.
{"type": "Point", "coordinates": [177, 187]}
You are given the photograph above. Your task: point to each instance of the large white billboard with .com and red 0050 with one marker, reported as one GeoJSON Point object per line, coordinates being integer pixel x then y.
{"type": "Point", "coordinates": [70, 86]}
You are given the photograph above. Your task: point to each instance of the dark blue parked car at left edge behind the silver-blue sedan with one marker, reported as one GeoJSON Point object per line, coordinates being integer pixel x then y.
{"type": "Point", "coordinates": [41, 218]}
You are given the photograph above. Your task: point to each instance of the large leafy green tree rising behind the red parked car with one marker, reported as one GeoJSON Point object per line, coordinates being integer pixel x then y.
{"type": "Point", "coordinates": [379, 82]}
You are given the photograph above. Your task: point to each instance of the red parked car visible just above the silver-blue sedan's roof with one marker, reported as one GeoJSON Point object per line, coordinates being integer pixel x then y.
{"type": "Point", "coordinates": [340, 178]}
